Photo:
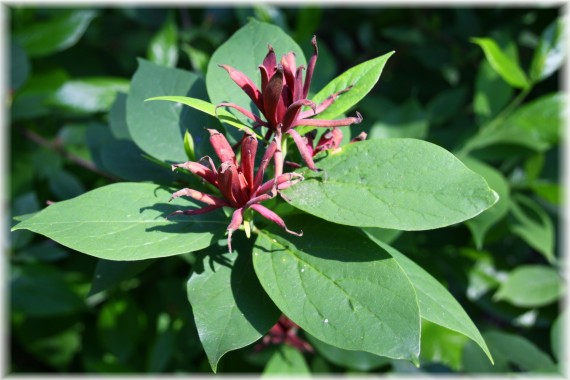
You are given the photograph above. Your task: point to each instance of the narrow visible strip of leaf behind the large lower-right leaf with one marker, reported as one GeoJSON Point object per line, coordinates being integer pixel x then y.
{"type": "Point", "coordinates": [436, 304]}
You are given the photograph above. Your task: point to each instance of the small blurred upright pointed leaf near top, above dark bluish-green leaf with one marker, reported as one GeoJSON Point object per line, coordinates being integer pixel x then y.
{"type": "Point", "coordinates": [163, 49]}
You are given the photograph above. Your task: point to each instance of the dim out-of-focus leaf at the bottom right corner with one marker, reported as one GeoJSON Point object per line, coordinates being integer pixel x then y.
{"type": "Point", "coordinates": [506, 348]}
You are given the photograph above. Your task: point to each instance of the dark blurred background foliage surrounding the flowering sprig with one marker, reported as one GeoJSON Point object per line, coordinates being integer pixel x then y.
{"type": "Point", "coordinates": [145, 324]}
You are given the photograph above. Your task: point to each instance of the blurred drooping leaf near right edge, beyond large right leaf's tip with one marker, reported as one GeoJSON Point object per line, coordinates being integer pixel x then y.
{"type": "Point", "coordinates": [533, 225]}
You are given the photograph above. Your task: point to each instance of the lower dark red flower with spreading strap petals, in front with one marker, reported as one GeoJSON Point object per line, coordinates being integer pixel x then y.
{"type": "Point", "coordinates": [240, 187]}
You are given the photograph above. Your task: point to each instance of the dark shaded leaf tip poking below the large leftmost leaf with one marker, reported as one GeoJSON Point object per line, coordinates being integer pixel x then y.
{"type": "Point", "coordinates": [109, 273]}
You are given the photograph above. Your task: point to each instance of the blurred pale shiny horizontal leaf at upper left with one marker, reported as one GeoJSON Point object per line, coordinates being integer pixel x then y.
{"type": "Point", "coordinates": [88, 95]}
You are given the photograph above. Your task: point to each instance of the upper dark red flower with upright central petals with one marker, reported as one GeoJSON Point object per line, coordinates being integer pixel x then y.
{"type": "Point", "coordinates": [281, 98]}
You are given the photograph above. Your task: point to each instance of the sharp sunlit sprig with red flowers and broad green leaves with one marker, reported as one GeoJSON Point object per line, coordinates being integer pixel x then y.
{"type": "Point", "coordinates": [266, 167]}
